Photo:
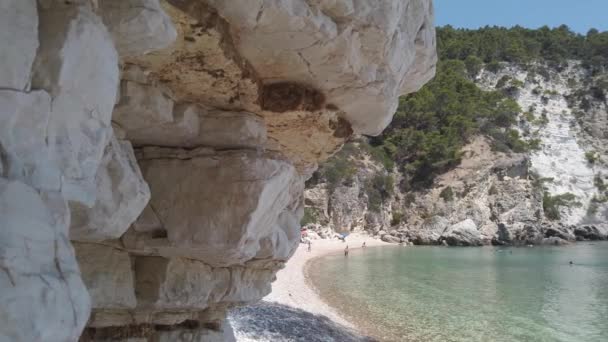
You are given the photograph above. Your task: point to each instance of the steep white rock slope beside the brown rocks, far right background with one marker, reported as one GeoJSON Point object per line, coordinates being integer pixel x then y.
{"type": "Point", "coordinates": [562, 127]}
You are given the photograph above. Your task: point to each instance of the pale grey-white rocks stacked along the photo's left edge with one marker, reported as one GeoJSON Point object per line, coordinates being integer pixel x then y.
{"type": "Point", "coordinates": [59, 77]}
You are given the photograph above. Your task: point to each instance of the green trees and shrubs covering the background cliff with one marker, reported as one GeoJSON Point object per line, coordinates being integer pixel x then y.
{"type": "Point", "coordinates": [431, 127]}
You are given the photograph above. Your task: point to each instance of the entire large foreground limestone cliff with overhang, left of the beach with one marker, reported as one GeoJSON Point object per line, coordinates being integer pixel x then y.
{"type": "Point", "coordinates": [169, 141]}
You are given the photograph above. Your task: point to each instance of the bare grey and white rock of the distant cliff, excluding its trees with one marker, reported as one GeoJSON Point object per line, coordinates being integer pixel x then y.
{"type": "Point", "coordinates": [506, 196]}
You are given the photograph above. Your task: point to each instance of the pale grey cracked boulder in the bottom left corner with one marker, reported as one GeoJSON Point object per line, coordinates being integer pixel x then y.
{"type": "Point", "coordinates": [42, 297]}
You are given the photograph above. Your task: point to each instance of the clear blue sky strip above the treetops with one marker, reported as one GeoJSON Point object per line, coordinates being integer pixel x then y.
{"type": "Point", "coordinates": [579, 15]}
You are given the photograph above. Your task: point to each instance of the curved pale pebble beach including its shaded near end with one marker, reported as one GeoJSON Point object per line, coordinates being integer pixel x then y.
{"type": "Point", "coordinates": [293, 296]}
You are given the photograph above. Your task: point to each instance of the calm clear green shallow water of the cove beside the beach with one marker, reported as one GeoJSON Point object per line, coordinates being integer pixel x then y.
{"type": "Point", "coordinates": [471, 294]}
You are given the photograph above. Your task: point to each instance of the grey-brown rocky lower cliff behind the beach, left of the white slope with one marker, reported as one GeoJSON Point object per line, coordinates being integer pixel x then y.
{"type": "Point", "coordinates": [491, 192]}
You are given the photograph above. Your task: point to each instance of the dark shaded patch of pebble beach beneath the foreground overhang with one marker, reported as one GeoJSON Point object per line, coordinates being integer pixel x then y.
{"type": "Point", "coordinates": [276, 322]}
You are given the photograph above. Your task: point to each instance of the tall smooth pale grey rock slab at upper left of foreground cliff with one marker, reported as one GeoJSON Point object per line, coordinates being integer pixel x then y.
{"type": "Point", "coordinates": [78, 66]}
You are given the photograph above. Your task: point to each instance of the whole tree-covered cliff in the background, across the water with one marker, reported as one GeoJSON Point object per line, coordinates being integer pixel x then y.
{"type": "Point", "coordinates": [489, 152]}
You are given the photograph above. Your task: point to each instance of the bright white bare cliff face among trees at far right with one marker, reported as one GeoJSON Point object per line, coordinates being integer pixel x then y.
{"type": "Point", "coordinates": [563, 146]}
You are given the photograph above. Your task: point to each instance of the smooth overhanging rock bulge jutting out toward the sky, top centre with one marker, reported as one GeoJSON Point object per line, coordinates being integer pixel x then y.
{"type": "Point", "coordinates": [360, 55]}
